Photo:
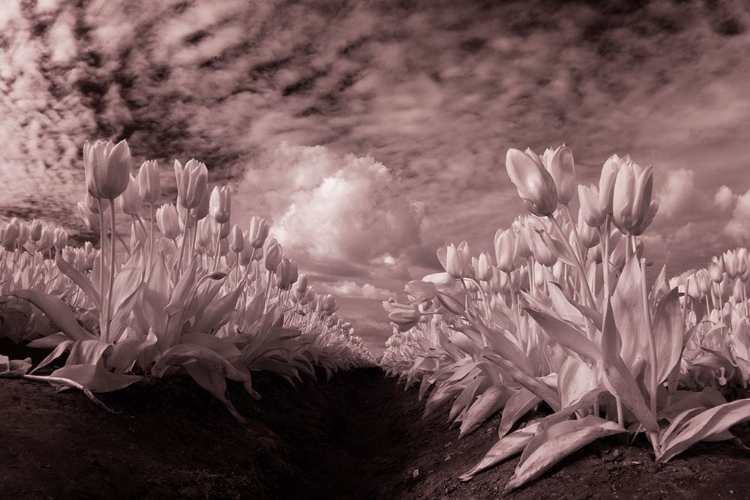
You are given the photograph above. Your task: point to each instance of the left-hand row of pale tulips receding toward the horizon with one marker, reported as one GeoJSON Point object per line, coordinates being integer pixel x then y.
{"type": "Point", "coordinates": [189, 293]}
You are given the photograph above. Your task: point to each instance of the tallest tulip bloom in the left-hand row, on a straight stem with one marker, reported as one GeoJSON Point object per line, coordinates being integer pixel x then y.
{"type": "Point", "coordinates": [107, 168]}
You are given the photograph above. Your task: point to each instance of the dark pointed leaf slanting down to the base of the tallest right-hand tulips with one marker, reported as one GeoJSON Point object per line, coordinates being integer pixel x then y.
{"type": "Point", "coordinates": [619, 377]}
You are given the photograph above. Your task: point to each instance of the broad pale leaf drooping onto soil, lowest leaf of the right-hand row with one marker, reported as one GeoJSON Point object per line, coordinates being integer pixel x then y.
{"type": "Point", "coordinates": [556, 443]}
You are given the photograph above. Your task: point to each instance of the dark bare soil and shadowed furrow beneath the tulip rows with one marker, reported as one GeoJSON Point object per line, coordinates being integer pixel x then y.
{"type": "Point", "coordinates": [358, 435]}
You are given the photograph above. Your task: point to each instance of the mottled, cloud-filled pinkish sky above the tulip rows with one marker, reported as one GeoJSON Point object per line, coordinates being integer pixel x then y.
{"type": "Point", "coordinates": [372, 132]}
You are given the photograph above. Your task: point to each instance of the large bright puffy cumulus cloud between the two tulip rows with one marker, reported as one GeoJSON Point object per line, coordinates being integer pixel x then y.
{"type": "Point", "coordinates": [330, 208]}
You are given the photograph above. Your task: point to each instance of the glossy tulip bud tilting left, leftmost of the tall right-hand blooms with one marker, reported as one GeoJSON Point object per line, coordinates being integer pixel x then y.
{"type": "Point", "coordinates": [533, 182]}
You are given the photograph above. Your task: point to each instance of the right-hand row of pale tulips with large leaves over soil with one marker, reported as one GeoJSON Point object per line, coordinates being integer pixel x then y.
{"type": "Point", "coordinates": [562, 315]}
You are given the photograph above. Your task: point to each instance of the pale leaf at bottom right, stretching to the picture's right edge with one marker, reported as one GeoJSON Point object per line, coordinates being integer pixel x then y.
{"type": "Point", "coordinates": [702, 426]}
